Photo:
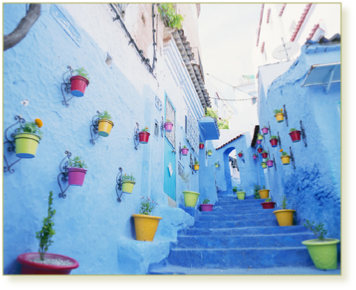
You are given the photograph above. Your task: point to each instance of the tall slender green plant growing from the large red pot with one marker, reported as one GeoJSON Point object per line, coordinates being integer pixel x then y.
{"type": "Point", "coordinates": [46, 233]}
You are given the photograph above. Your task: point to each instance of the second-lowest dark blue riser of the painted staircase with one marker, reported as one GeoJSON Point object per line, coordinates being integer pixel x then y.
{"type": "Point", "coordinates": [209, 242]}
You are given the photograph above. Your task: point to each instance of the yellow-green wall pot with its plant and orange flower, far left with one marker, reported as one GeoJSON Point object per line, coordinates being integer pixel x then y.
{"type": "Point", "coordinates": [27, 138]}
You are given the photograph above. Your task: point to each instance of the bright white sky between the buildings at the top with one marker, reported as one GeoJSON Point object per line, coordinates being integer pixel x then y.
{"type": "Point", "coordinates": [227, 34]}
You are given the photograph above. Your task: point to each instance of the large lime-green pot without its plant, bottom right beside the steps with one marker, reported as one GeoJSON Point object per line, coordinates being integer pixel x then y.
{"type": "Point", "coordinates": [323, 254]}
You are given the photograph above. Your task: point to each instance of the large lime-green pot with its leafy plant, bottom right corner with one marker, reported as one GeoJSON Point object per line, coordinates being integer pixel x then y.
{"type": "Point", "coordinates": [322, 251]}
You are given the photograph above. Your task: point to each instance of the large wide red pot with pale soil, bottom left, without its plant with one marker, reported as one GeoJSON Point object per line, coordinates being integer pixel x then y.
{"type": "Point", "coordinates": [28, 267]}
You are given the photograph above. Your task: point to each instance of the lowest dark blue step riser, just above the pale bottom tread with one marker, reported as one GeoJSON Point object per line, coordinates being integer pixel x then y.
{"type": "Point", "coordinates": [253, 258]}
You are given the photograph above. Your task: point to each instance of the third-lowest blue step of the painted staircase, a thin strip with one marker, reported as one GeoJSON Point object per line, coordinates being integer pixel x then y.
{"type": "Point", "coordinates": [261, 230]}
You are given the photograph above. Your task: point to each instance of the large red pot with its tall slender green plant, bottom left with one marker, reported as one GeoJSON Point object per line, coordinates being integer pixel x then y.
{"type": "Point", "coordinates": [43, 262]}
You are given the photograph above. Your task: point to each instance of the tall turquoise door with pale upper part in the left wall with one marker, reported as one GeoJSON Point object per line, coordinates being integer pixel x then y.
{"type": "Point", "coordinates": [170, 152]}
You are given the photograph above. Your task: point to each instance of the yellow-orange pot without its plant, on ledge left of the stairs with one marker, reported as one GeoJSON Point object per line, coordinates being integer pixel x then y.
{"type": "Point", "coordinates": [145, 226]}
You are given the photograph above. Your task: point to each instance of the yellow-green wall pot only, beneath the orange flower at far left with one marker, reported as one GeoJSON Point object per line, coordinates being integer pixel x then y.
{"type": "Point", "coordinates": [26, 145]}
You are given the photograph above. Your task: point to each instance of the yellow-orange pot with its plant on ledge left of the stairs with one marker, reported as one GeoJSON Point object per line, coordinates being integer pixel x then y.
{"type": "Point", "coordinates": [145, 224]}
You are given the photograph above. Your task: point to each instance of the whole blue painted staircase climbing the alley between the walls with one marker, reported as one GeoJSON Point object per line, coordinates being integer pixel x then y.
{"type": "Point", "coordinates": [239, 237]}
